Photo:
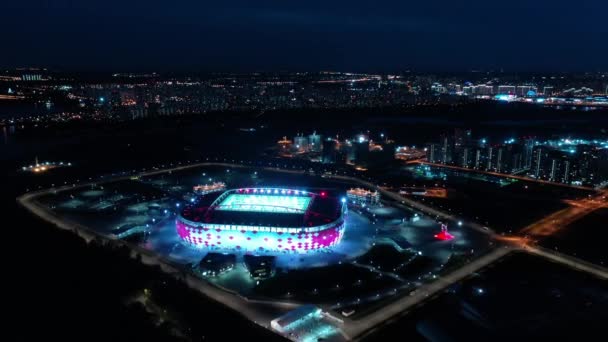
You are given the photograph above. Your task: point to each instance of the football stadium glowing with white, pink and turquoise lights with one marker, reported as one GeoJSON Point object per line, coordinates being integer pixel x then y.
{"type": "Point", "coordinates": [263, 220]}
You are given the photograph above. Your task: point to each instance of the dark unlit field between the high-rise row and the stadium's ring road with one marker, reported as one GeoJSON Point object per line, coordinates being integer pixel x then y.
{"type": "Point", "coordinates": [501, 204]}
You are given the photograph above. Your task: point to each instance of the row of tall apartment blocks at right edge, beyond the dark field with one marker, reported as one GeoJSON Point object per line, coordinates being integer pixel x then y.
{"type": "Point", "coordinates": [571, 162]}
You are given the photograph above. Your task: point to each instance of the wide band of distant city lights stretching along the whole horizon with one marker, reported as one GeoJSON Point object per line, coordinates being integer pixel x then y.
{"type": "Point", "coordinates": [135, 96]}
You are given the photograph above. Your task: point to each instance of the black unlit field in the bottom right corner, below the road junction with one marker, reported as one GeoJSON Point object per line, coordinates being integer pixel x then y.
{"type": "Point", "coordinates": [522, 297]}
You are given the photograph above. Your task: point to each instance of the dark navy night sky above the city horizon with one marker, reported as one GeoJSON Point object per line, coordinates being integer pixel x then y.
{"type": "Point", "coordinates": [354, 35]}
